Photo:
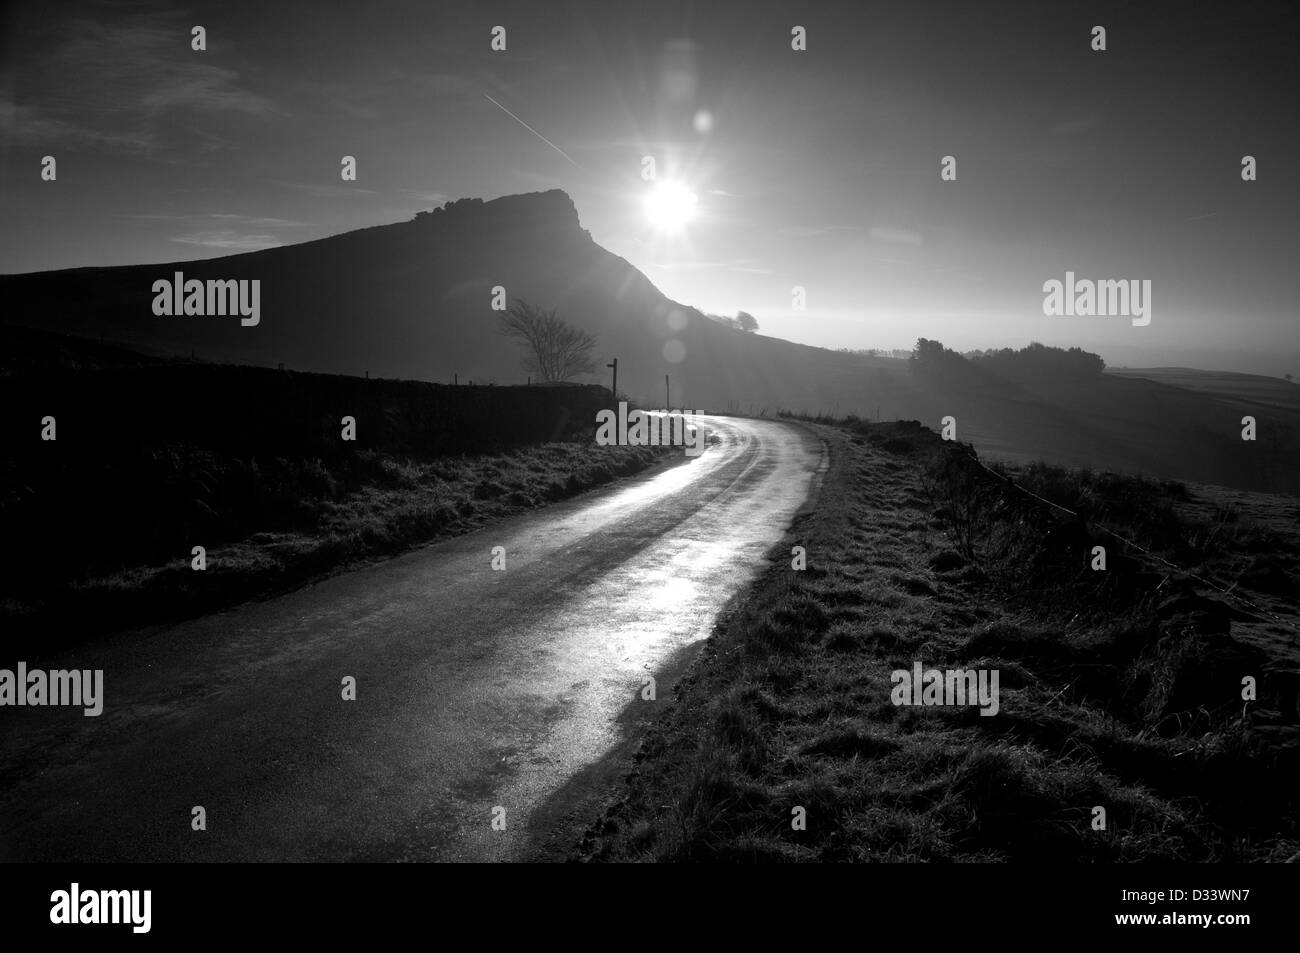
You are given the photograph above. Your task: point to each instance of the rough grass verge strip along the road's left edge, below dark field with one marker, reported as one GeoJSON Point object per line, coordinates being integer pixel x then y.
{"type": "Point", "coordinates": [304, 519]}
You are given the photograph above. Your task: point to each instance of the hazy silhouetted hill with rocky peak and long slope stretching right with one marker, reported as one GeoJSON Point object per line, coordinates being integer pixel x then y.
{"type": "Point", "coordinates": [413, 301]}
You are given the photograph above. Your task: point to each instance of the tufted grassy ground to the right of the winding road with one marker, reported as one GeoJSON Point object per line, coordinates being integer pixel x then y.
{"type": "Point", "coordinates": [1121, 690]}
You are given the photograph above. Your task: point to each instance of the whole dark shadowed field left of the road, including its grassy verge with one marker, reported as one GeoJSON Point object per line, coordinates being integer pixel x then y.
{"type": "Point", "coordinates": [250, 465]}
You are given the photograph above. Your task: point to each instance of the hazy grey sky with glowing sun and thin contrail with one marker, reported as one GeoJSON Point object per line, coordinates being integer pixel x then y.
{"type": "Point", "coordinates": [816, 170]}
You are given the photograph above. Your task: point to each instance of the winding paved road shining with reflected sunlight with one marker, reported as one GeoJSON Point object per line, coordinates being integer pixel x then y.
{"type": "Point", "coordinates": [476, 690]}
